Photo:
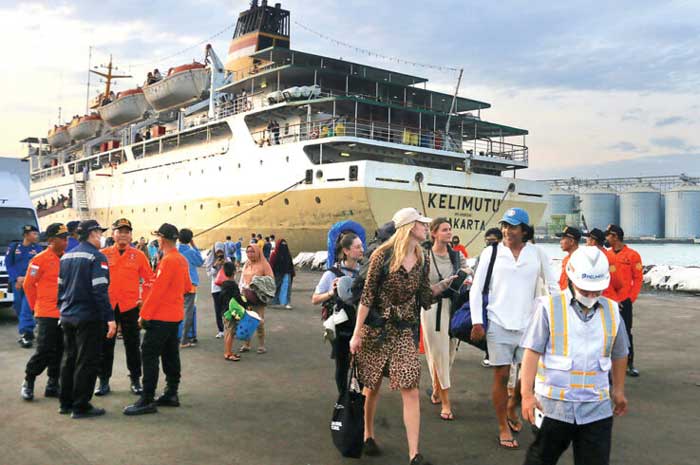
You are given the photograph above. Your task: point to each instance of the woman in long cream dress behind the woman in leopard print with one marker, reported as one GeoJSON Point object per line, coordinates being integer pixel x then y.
{"type": "Point", "coordinates": [435, 322]}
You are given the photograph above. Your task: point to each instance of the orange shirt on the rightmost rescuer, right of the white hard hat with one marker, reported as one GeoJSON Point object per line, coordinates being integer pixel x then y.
{"type": "Point", "coordinates": [626, 275]}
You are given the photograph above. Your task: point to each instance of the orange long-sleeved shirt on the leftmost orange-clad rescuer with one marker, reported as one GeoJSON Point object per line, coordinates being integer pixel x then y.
{"type": "Point", "coordinates": [41, 284]}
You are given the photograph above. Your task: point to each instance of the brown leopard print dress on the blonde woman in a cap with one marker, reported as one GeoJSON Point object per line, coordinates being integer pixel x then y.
{"type": "Point", "coordinates": [394, 352]}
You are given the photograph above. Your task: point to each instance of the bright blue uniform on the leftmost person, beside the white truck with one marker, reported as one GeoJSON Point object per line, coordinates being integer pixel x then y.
{"type": "Point", "coordinates": [17, 261]}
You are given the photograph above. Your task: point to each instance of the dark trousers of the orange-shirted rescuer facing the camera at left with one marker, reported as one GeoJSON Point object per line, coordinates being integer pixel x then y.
{"type": "Point", "coordinates": [131, 336]}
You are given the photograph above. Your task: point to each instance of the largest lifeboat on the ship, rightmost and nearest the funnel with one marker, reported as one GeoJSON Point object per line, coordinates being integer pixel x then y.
{"type": "Point", "coordinates": [183, 85]}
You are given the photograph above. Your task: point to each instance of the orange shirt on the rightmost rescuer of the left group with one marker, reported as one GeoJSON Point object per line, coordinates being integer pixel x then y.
{"type": "Point", "coordinates": [165, 301]}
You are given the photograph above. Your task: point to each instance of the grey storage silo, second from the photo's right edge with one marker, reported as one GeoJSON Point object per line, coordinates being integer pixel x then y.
{"type": "Point", "coordinates": [641, 212]}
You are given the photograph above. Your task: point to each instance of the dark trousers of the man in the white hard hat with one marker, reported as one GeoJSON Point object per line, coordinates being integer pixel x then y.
{"type": "Point", "coordinates": [591, 442]}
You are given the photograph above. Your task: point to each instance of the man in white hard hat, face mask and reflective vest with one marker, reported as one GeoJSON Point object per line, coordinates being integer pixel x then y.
{"type": "Point", "coordinates": [574, 344]}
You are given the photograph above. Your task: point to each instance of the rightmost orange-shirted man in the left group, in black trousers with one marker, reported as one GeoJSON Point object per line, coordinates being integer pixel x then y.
{"type": "Point", "coordinates": [161, 314]}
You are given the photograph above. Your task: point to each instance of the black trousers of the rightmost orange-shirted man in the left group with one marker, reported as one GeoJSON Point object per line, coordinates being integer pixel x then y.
{"type": "Point", "coordinates": [160, 342]}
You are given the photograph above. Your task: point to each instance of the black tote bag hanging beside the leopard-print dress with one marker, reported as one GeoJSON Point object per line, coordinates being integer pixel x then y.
{"type": "Point", "coordinates": [348, 421]}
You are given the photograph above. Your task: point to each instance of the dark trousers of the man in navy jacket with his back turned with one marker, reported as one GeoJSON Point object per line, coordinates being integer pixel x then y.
{"type": "Point", "coordinates": [82, 343]}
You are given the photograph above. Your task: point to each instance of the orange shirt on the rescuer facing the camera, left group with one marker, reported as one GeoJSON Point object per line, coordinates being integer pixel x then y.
{"type": "Point", "coordinates": [125, 272]}
